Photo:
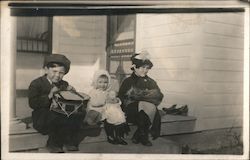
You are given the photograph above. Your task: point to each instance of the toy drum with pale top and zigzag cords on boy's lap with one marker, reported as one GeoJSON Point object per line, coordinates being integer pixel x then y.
{"type": "Point", "coordinates": [69, 102]}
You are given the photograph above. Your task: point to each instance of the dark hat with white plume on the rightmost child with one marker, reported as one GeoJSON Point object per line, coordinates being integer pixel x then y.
{"type": "Point", "coordinates": [141, 59]}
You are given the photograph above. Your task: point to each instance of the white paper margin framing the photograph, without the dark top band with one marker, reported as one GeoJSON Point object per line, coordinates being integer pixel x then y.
{"type": "Point", "coordinates": [5, 79]}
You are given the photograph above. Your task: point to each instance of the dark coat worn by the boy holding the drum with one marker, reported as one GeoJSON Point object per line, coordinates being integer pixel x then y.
{"type": "Point", "coordinates": [40, 103]}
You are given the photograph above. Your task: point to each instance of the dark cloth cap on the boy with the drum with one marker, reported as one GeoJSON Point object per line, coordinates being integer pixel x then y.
{"type": "Point", "coordinates": [58, 58]}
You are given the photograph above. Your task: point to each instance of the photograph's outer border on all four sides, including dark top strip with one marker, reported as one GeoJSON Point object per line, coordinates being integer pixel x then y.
{"type": "Point", "coordinates": [97, 7]}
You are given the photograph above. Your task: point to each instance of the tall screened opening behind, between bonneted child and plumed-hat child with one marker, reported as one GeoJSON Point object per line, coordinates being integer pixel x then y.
{"type": "Point", "coordinates": [120, 45]}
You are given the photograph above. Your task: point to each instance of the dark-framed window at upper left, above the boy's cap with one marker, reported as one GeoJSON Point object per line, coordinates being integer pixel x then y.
{"type": "Point", "coordinates": [34, 34]}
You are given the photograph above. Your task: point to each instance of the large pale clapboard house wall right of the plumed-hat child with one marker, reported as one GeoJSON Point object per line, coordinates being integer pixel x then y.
{"type": "Point", "coordinates": [198, 60]}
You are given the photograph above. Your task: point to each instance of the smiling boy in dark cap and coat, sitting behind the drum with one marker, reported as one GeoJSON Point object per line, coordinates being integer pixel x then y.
{"type": "Point", "coordinates": [62, 130]}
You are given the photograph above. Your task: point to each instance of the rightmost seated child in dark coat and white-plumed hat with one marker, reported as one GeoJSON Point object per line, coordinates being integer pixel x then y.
{"type": "Point", "coordinates": [140, 96]}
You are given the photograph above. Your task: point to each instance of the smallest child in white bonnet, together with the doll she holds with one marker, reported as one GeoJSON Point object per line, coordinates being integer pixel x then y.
{"type": "Point", "coordinates": [100, 109]}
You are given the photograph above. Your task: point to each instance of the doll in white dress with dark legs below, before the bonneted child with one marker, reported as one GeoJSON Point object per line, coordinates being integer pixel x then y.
{"type": "Point", "coordinates": [115, 121]}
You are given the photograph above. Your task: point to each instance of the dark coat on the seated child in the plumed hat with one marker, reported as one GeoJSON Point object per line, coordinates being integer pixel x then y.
{"type": "Point", "coordinates": [135, 89]}
